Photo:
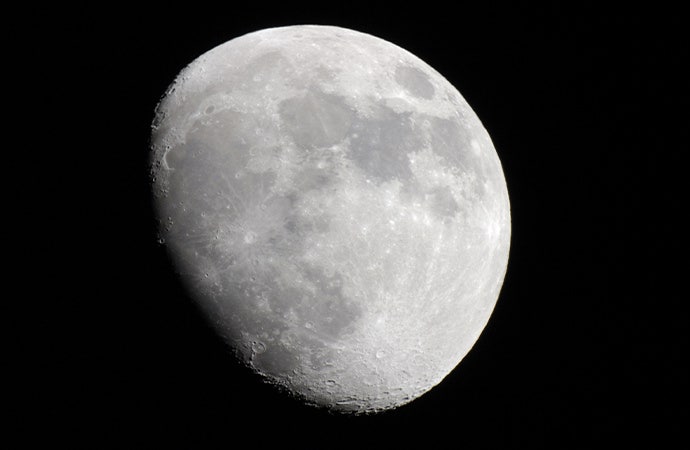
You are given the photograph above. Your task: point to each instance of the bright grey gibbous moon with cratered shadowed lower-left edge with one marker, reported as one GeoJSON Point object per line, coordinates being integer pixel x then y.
{"type": "Point", "coordinates": [335, 208]}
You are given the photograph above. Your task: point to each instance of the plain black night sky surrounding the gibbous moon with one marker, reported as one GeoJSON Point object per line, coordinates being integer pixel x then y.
{"type": "Point", "coordinates": [587, 342]}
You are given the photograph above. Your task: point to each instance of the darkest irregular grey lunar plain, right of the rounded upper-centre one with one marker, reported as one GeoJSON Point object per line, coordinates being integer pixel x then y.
{"type": "Point", "coordinates": [382, 143]}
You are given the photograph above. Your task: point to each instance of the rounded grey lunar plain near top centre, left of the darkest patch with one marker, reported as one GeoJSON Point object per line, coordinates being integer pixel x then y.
{"type": "Point", "coordinates": [316, 119]}
